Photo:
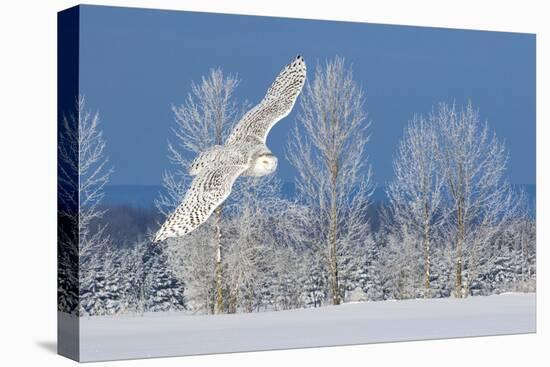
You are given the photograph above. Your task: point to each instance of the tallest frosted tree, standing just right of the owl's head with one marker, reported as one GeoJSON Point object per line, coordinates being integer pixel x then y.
{"type": "Point", "coordinates": [333, 176]}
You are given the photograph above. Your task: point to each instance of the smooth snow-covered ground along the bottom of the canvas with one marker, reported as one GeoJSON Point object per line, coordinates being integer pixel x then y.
{"type": "Point", "coordinates": [172, 333]}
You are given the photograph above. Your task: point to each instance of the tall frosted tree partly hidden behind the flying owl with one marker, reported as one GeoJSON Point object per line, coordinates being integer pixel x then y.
{"type": "Point", "coordinates": [203, 120]}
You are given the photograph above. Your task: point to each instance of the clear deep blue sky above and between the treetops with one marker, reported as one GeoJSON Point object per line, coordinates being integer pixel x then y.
{"type": "Point", "coordinates": [136, 63]}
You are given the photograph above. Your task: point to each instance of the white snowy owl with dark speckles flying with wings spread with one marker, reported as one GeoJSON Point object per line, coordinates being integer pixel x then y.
{"type": "Point", "coordinates": [244, 153]}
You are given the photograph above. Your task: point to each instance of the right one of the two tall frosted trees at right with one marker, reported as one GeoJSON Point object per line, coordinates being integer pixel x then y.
{"type": "Point", "coordinates": [479, 197]}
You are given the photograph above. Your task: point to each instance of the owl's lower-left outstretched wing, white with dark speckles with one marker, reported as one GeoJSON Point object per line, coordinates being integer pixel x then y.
{"type": "Point", "coordinates": [208, 190]}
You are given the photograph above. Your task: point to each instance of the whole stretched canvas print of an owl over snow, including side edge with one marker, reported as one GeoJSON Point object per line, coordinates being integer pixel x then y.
{"type": "Point", "coordinates": [233, 183]}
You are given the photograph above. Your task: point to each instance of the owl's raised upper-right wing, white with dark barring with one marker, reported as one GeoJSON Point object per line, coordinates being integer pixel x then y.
{"type": "Point", "coordinates": [277, 103]}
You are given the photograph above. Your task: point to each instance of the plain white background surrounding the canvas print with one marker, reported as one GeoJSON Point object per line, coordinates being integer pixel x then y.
{"type": "Point", "coordinates": [28, 181]}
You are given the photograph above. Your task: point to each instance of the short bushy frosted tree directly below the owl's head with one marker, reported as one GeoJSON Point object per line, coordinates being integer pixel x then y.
{"type": "Point", "coordinates": [265, 256]}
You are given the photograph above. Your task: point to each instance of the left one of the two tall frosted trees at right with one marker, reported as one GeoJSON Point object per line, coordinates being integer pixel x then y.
{"type": "Point", "coordinates": [415, 194]}
